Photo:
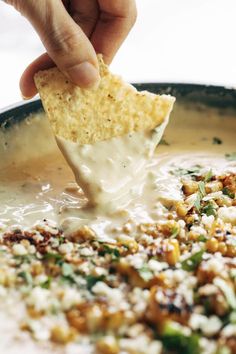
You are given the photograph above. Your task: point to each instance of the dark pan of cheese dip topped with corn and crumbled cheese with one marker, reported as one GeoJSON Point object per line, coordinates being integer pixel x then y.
{"type": "Point", "coordinates": [73, 280]}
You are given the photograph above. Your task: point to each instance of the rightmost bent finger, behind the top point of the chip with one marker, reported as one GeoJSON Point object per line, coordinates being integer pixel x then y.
{"type": "Point", "coordinates": [117, 17]}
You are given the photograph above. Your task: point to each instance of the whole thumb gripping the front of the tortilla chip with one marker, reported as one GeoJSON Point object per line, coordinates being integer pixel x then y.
{"type": "Point", "coordinates": [66, 43]}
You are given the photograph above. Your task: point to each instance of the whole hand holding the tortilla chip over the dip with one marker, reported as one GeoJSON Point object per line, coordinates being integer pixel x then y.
{"type": "Point", "coordinates": [73, 31]}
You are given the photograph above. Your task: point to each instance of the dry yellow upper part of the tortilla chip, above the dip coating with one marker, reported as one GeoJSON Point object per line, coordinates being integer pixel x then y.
{"type": "Point", "coordinates": [113, 109]}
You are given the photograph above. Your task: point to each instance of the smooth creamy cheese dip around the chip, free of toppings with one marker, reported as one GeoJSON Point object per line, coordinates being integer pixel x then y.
{"type": "Point", "coordinates": [36, 183]}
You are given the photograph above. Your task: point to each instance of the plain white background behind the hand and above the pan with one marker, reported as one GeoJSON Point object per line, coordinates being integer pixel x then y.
{"type": "Point", "coordinates": [172, 41]}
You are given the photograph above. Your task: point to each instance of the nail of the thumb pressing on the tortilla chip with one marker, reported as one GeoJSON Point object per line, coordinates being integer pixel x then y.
{"type": "Point", "coordinates": [84, 75]}
